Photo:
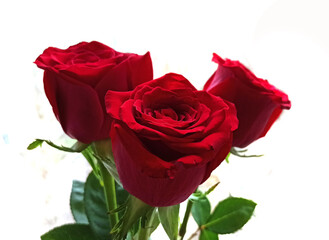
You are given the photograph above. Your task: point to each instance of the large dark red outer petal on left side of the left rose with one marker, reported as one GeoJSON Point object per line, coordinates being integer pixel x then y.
{"type": "Point", "coordinates": [76, 106]}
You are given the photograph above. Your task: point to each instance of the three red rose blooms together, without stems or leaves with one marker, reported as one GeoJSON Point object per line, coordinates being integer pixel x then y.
{"type": "Point", "coordinates": [167, 137]}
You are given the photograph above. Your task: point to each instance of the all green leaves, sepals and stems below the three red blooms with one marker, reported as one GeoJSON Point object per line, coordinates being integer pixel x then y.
{"type": "Point", "coordinates": [137, 219]}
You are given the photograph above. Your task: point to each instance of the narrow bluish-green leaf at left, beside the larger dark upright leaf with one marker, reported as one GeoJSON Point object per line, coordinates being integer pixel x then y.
{"type": "Point", "coordinates": [77, 202]}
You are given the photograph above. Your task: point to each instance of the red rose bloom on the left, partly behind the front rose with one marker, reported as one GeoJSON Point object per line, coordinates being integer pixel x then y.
{"type": "Point", "coordinates": [77, 79]}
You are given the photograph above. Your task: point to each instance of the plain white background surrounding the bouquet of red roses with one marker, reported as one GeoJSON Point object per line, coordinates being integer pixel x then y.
{"type": "Point", "coordinates": [284, 41]}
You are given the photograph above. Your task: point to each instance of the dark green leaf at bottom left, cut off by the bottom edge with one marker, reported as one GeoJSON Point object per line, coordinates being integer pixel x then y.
{"type": "Point", "coordinates": [70, 232]}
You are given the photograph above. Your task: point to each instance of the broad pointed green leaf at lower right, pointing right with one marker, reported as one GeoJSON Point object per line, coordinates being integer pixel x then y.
{"type": "Point", "coordinates": [230, 215]}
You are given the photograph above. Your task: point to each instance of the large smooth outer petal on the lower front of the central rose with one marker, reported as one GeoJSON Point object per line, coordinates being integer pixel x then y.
{"type": "Point", "coordinates": [136, 167]}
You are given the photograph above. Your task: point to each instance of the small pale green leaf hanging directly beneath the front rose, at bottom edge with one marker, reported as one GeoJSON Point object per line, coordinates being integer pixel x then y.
{"type": "Point", "coordinates": [169, 218]}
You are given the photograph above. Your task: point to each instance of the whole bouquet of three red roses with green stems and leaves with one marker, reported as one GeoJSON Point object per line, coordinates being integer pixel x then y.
{"type": "Point", "coordinates": [152, 142]}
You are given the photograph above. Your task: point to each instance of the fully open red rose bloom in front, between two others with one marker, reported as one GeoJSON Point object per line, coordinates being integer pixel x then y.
{"type": "Point", "coordinates": [167, 137]}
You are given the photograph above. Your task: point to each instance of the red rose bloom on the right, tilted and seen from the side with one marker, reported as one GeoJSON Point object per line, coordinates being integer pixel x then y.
{"type": "Point", "coordinates": [258, 103]}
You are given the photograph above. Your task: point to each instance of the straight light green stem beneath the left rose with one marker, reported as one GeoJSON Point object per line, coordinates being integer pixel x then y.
{"type": "Point", "coordinates": [110, 194]}
